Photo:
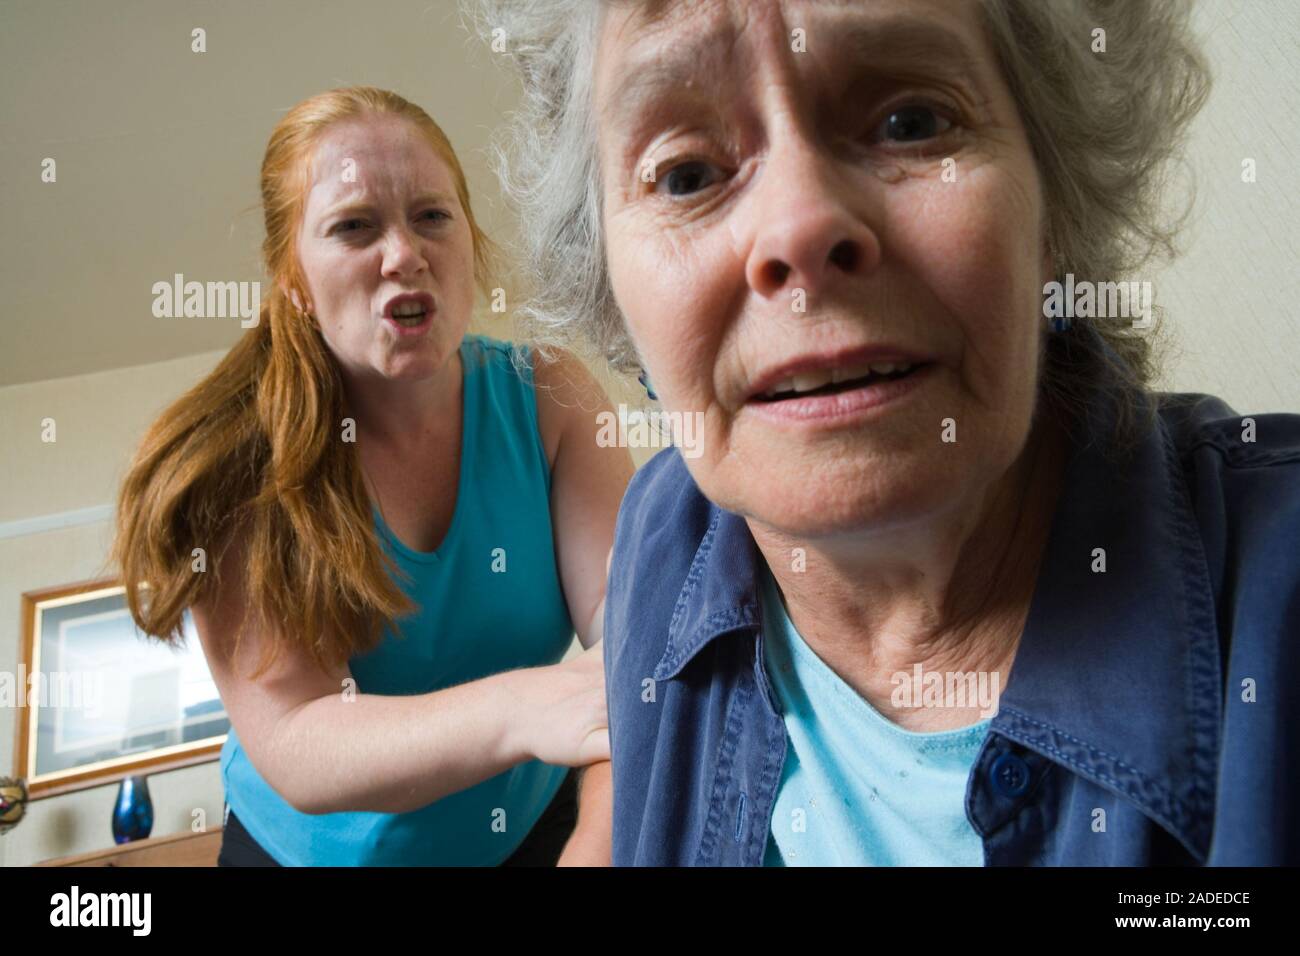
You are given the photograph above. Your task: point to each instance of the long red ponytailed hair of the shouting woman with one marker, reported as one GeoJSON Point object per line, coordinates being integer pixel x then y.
{"type": "Point", "coordinates": [257, 447]}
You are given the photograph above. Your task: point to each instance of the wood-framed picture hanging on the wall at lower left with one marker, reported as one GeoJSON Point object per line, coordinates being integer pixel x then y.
{"type": "Point", "coordinates": [99, 700]}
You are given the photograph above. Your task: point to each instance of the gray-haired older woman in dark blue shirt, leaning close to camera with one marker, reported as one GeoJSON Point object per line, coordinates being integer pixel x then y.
{"type": "Point", "coordinates": [947, 583]}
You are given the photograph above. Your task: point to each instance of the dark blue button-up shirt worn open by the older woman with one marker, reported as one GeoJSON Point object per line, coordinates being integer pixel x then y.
{"type": "Point", "coordinates": [1151, 716]}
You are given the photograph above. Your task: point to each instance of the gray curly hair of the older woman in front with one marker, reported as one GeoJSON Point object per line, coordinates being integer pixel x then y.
{"type": "Point", "coordinates": [1104, 131]}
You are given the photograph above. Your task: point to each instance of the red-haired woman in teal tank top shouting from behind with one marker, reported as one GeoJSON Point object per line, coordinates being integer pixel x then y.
{"type": "Point", "coordinates": [402, 525]}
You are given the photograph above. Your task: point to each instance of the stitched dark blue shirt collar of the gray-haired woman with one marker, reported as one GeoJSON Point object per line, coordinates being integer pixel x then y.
{"type": "Point", "coordinates": [1117, 677]}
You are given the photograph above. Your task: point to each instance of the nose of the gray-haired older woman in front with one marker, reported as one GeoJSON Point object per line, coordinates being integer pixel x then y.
{"type": "Point", "coordinates": [805, 235]}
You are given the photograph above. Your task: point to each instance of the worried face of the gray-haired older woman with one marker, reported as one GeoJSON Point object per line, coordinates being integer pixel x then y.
{"type": "Point", "coordinates": [838, 189]}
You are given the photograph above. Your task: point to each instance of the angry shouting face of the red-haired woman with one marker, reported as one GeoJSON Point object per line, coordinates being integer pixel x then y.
{"type": "Point", "coordinates": [383, 220]}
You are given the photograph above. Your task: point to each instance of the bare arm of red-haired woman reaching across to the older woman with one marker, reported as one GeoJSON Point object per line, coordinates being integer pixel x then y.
{"type": "Point", "coordinates": [326, 747]}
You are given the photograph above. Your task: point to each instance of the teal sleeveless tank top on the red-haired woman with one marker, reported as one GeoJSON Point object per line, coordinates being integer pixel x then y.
{"type": "Point", "coordinates": [489, 600]}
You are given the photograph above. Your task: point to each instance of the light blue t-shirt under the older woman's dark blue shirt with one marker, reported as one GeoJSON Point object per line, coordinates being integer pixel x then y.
{"type": "Point", "coordinates": [859, 790]}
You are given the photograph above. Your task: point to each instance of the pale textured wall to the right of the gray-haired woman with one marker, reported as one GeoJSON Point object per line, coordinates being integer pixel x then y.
{"type": "Point", "coordinates": [1232, 297]}
